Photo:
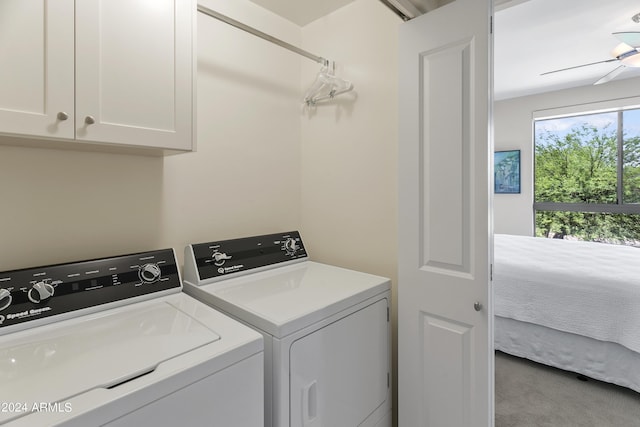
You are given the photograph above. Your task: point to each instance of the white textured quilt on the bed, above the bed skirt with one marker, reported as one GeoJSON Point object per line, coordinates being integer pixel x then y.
{"type": "Point", "coordinates": [590, 289]}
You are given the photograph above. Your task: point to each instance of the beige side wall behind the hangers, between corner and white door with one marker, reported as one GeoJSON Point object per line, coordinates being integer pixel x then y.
{"type": "Point", "coordinates": [349, 146]}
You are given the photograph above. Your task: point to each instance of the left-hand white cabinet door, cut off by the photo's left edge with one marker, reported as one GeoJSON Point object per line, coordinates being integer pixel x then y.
{"type": "Point", "coordinates": [36, 75]}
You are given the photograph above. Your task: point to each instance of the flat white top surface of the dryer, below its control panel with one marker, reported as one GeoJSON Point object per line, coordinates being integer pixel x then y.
{"type": "Point", "coordinates": [287, 299]}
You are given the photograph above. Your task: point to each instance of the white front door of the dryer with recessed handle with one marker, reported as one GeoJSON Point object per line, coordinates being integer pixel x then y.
{"type": "Point", "coordinates": [339, 374]}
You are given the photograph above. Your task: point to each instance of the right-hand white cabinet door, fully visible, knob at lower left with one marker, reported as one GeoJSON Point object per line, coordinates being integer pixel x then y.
{"type": "Point", "coordinates": [134, 72]}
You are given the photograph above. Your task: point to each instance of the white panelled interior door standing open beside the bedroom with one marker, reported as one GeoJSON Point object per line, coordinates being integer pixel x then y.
{"type": "Point", "coordinates": [445, 317]}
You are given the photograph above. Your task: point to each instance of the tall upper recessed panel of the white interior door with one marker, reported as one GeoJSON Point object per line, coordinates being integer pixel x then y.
{"type": "Point", "coordinates": [445, 247]}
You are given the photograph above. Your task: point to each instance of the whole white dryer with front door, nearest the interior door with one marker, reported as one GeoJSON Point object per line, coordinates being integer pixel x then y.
{"type": "Point", "coordinates": [326, 329]}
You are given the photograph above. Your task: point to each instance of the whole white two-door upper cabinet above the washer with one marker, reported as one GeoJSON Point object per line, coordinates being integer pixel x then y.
{"type": "Point", "coordinates": [126, 77]}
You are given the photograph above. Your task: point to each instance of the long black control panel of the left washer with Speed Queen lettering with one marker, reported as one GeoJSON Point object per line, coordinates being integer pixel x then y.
{"type": "Point", "coordinates": [36, 293]}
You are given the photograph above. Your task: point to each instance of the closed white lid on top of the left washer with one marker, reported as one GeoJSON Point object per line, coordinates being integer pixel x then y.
{"type": "Point", "coordinates": [54, 362]}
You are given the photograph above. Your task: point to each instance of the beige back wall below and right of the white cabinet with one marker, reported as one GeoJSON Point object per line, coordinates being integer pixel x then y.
{"type": "Point", "coordinates": [58, 205]}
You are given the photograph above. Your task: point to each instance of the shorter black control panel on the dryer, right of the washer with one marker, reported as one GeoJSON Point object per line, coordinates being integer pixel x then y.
{"type": "Point", "coordinates": [215, 259]}
